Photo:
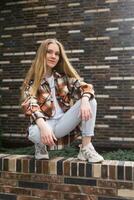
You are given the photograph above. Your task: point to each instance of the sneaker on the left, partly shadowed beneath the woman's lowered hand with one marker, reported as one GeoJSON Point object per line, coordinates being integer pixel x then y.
{"type": "Point", "coordinates": [41, 151]}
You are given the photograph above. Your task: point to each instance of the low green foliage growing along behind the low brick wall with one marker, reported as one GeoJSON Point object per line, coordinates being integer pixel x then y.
{"type": "Point", "coordinates": [72, 151]}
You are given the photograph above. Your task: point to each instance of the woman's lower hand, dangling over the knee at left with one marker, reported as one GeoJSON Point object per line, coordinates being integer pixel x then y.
{"type": "Point", "coordinates": [47, 135]}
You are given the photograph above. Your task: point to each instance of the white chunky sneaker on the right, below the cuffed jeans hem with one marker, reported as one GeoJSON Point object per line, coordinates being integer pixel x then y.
{"type": "Point", "coordinates": [89, 153]}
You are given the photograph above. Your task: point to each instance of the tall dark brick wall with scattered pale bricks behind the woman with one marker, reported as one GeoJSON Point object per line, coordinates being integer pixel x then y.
{"type": "Point", "coordinates": [99, 40]}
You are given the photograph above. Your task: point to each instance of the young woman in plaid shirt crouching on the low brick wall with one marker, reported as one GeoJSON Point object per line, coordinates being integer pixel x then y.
{"type": "Point", "coordinates": [56, 100]}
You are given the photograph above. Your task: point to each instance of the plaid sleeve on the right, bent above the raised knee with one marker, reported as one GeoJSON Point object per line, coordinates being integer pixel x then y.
{"type": "Point", "coordinates": [79, 88]}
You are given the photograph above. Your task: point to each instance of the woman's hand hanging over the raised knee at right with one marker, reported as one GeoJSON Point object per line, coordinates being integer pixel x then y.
{"type": "Point", "coordinates": [85, 109]}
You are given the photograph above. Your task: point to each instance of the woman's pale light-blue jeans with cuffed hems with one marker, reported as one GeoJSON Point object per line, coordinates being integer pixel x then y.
{"type": "Point", "coordinates": [64, 125]}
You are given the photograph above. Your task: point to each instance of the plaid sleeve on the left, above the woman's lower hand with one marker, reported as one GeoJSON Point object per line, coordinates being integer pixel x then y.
{"type": "Point", "coordinates": [30, 105]}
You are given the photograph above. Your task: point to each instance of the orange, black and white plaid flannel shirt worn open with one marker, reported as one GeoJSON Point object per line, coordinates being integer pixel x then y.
{"type": "Point", "coordinates": [68, 91]}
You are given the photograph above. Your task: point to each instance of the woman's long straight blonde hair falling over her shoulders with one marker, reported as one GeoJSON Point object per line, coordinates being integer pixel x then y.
{"type": "Point", "coordinates": [38, 68]}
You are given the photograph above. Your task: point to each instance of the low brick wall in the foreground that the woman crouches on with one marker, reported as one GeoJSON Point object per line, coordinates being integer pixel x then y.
{"type": "Point", "coordinates": [23, 178]}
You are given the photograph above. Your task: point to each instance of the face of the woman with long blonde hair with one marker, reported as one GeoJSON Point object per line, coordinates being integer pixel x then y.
{"type": "Point", "coordinates": [52, 55]}
